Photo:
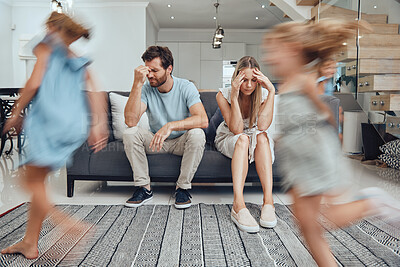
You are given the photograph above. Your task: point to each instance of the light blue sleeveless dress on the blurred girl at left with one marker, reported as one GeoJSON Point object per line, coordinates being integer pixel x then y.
{"type": "Point", "coordinates": [58, 119]}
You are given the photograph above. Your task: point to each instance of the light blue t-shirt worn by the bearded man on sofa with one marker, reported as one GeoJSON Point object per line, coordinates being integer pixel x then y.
{"type": "Point", "coordinates": [172, 106]}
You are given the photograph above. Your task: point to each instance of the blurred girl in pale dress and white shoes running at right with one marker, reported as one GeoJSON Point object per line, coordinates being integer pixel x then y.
{"type": "Point", "coordinates": [308, 150]}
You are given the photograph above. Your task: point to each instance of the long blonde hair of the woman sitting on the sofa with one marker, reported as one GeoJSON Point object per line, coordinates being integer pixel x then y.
{"type": "Point", "coordinates": [244, 63]}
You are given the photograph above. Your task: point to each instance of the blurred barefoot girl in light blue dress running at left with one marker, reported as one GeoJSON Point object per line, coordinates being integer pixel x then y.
{"type": "Point", "coordinates": [58, 120]}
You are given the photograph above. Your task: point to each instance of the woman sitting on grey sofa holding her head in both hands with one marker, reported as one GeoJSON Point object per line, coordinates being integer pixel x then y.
{"type": "Point", "coordinates": [247, 108]}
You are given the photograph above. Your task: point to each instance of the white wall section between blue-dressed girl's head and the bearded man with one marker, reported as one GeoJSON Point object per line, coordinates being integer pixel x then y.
{"type": "Point", "coordinates": [119, 39]}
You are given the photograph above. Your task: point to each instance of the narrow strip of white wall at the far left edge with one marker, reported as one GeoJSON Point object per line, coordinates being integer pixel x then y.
{"type": "Point", "coordinates": [6, 69]}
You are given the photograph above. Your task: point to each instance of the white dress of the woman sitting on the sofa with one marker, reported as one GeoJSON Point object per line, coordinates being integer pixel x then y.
{"type": "Point", "coordinates": [225, 140]}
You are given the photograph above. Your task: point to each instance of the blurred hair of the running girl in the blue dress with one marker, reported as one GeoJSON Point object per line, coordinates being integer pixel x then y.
{"type": "Point", "coordinates": [66, 24]}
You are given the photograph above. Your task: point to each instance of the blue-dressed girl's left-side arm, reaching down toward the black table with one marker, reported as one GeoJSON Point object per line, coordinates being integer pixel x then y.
{"type": "Point", "coordinates": [42, 53]}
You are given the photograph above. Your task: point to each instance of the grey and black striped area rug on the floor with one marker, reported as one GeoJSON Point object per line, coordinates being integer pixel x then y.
{"type": "Point", "coordinates": [203, 235]}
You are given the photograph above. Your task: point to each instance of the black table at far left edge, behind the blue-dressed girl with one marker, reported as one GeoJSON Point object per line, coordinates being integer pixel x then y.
{"type": "Point", "coordinates": [8, 96]}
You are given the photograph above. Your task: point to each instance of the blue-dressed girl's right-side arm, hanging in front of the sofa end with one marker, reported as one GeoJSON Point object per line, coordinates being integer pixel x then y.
{"type": "Point", "coordinates": [98, 136]}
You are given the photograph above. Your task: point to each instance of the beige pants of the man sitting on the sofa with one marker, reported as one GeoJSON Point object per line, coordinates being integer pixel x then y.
{"type": "Point", "coordinates": [190, 146]}
